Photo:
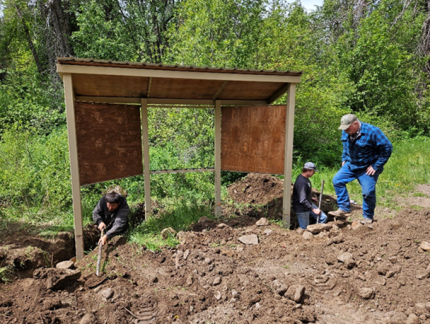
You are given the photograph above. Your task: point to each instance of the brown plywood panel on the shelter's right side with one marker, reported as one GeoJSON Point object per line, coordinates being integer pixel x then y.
{"type": "Point", "coordinates": [253, 139]}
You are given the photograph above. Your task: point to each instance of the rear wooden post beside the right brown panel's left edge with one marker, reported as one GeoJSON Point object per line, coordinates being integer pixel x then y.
{"type": "Point", "coordinates": [217, 158]}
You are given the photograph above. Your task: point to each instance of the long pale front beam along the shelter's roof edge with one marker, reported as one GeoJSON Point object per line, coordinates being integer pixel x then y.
{"type": "Point", "coordinates": [148, 73]}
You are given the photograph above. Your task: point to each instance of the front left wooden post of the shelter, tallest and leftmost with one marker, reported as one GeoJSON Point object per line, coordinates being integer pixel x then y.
{"type": "Point", "coordinates": [74, 165]}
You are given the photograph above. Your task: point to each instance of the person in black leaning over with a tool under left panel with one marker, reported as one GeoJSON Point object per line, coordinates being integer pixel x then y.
{"type": "Point", "coordinates": [111, 214]}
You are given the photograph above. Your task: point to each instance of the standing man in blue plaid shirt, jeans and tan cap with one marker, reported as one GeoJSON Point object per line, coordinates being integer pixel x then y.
{"type": "Point", "coordinates": [365, 151]}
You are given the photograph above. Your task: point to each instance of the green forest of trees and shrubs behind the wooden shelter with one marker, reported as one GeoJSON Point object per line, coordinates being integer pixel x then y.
{"type": "Point", "coordinates": [368, 57]}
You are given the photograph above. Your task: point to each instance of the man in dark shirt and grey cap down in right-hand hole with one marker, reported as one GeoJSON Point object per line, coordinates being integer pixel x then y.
{"type": "Point", "coordinates": [302, 197]}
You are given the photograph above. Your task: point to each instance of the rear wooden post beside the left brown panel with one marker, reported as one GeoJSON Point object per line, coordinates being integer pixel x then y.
{"type": "Point", "coordinates": [146, 171]}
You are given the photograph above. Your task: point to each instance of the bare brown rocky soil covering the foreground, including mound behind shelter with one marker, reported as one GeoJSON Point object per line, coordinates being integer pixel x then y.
{"type": "Point", "coordinates": [348, 273]}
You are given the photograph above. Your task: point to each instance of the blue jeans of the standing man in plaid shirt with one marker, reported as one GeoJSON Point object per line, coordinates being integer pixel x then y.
{"type": "Point", "coordinates": [368, 188]}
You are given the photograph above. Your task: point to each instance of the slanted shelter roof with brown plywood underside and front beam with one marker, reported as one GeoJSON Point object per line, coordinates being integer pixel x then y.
{"type": "Point", "coordinates": [104, 80]}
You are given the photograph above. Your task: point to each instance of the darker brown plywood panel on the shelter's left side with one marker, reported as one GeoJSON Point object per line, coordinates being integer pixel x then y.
{"type": "Point", "coordinates": [109, 141]}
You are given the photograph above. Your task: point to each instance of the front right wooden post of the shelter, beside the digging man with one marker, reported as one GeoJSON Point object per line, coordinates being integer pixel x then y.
{"type": "Point", "coordinates": [288, 157]}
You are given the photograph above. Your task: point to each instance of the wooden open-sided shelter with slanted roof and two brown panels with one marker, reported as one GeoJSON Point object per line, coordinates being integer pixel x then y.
{"type": "Point", "coordinates": [107, 104]}
